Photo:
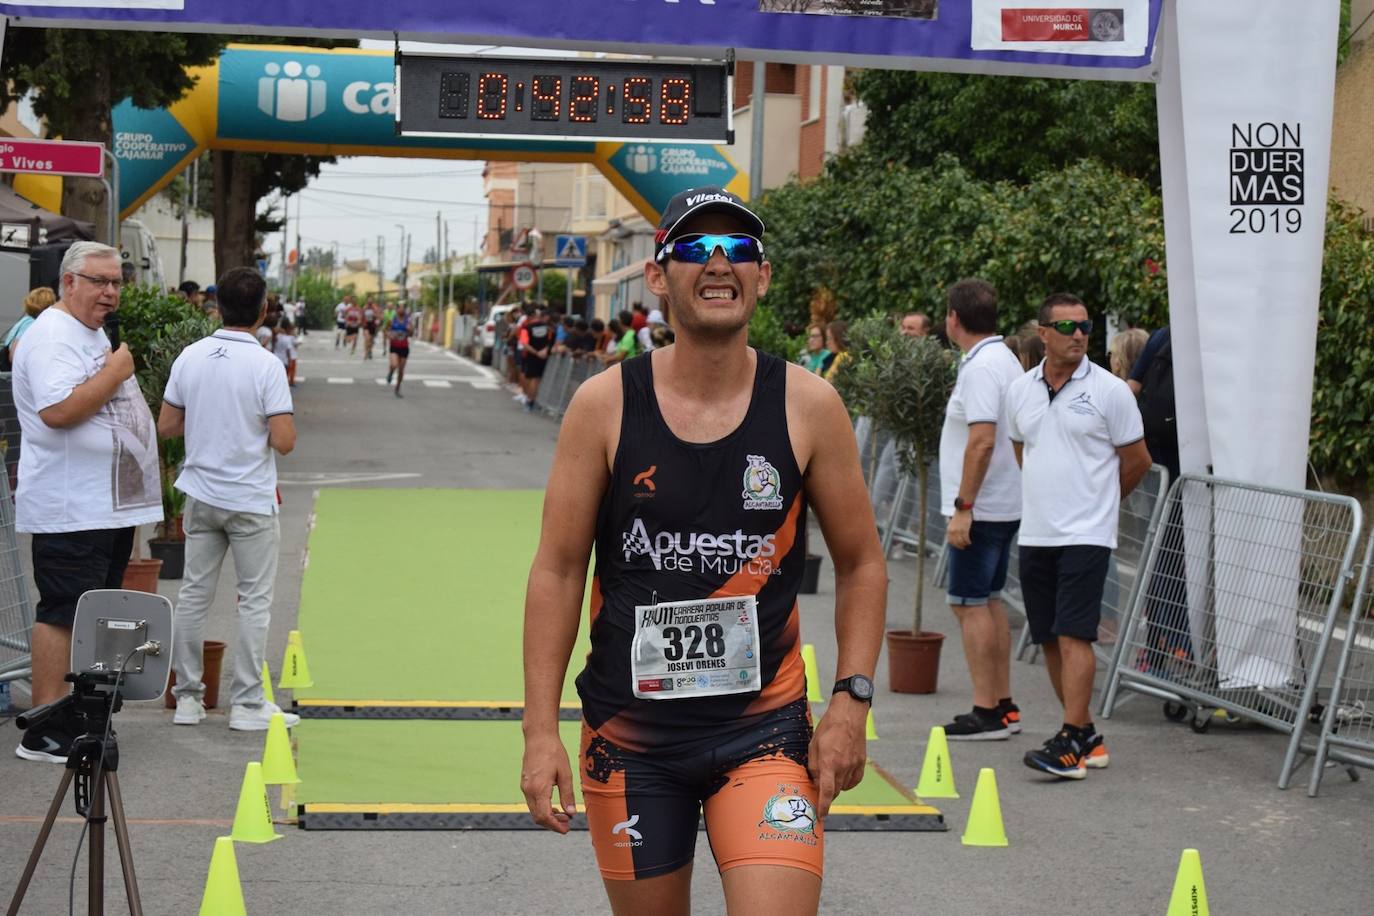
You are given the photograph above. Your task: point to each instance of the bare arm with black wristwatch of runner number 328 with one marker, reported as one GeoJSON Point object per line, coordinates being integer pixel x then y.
{"type": "Point", "coordinates": [840, 499]}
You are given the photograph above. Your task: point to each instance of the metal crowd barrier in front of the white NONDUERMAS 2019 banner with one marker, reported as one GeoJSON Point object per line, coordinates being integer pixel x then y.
{"type": "Point", "coordinates": [1244, 586]}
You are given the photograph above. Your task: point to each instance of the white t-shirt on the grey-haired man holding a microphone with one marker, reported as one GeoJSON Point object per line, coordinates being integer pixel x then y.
{"type": "Point", "coordinates": [100, 474]}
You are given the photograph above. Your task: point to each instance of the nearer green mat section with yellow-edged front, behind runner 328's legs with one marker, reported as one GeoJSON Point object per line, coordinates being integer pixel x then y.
{"type": "Point", "coordinates": [372, 774]}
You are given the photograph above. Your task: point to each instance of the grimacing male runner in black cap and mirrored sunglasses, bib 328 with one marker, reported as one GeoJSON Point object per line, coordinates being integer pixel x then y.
{"type": "Point", "coordinates": [692, 470]}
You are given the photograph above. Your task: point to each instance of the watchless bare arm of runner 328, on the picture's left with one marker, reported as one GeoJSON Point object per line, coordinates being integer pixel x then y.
{"type": "Point", "coordinates": [554, 595]}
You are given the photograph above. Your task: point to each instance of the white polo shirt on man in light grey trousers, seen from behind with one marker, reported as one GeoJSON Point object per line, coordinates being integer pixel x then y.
{"type": "Point", "coordinates": [229, 388]}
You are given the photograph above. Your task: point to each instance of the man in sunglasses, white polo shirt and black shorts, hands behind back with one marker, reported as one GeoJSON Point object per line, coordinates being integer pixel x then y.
{"type": "Point", "coordinates": [1079, 440]}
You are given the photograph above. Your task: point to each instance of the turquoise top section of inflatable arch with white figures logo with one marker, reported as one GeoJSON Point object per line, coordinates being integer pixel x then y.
{"type": "Point", "coordinates": [293, 95]}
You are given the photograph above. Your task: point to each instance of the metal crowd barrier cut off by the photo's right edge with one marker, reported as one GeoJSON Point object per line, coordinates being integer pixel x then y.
{"type": "Point", "coordinates": [1347, 733]}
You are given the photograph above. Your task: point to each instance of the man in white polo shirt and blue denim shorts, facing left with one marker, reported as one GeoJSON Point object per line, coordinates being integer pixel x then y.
{"type": "Point", "coordinates": [980, 494]}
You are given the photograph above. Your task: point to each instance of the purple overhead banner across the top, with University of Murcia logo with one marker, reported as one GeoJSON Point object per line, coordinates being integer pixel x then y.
{"type": "Point", "coordinates": [892, 34]}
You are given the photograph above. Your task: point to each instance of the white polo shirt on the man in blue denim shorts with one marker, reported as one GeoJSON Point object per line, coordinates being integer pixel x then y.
{"type": "Point", "coordinates": [984, 376]}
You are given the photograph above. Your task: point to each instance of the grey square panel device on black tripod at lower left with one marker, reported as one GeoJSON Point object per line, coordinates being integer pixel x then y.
{"type": "Point", "coordinates": [122, 649]}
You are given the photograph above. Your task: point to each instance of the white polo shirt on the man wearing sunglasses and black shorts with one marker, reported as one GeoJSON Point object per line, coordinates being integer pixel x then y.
{"type": "Point", "coordinates": [1070, 466]}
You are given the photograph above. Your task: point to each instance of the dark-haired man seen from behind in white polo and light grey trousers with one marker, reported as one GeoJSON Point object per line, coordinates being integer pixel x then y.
{"type": "Point", "coordinates": [230, 399]}
